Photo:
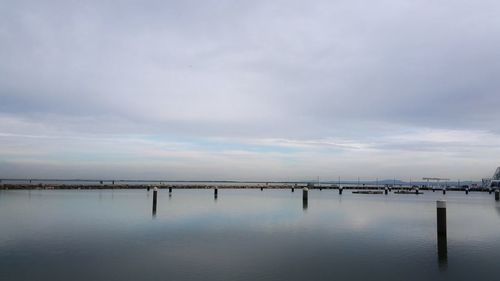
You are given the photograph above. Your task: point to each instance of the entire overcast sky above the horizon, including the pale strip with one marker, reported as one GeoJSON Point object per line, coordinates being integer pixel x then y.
{"type": "Point", "coordinates": [249, 90]}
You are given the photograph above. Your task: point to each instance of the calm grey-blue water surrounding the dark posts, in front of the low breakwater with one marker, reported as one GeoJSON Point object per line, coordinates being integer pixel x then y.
{"type": "Point", "coordinates": [244, 235]}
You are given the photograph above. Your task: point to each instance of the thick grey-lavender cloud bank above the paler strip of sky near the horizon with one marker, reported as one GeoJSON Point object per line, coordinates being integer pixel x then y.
{"type": "Point", "coordinates": [360, 70]}
